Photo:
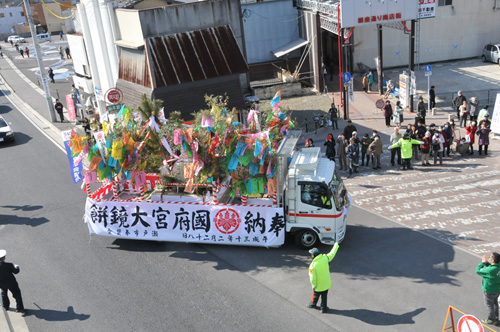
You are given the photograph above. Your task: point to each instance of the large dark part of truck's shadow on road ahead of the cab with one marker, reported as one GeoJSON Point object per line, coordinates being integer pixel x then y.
{"type": "Point", "coordinates": [395, 252]}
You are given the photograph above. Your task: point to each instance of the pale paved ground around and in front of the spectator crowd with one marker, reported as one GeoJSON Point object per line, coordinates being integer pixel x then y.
{"type": "Point", "coordinates": [458, 202]}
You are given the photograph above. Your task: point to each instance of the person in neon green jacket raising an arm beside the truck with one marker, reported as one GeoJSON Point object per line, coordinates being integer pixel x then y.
{"type": "Point", "coordinates": [319, 274]}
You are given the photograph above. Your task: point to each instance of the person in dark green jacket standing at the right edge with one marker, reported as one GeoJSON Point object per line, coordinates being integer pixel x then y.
{"type": "Point", "coordinates": [489, 270]}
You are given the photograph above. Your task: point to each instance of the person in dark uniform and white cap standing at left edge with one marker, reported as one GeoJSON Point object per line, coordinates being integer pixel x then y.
{"type": "Point", "coordinates": [9, 283]}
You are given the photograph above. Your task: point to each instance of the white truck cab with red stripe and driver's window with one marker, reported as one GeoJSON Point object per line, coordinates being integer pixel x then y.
{"type": "Point", "coordinates": [315, 199]}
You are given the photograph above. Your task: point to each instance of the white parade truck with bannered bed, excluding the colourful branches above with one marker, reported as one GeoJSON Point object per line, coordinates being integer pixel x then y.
{"type": "Point", "coordinates": [310, 202]}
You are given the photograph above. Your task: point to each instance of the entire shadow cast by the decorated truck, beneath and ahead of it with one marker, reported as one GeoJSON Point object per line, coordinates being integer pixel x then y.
{"type": "Point", "coordinates": [368, 253]}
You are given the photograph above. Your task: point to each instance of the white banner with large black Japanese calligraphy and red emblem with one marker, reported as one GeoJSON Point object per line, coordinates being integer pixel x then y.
{"type": "Point", "coordinates": [218, 224]}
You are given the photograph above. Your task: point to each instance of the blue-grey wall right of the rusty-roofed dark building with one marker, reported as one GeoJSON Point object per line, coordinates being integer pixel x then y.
{"type": "Point", "coordinates": [265, 31]}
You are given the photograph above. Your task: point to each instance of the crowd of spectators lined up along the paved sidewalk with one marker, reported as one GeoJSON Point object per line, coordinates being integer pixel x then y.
{"type": "Point", "coordinates": [418, 141]}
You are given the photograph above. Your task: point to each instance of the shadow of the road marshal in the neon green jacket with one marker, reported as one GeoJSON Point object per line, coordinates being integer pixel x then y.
{"type": "Point", "coordinates": [379, 317]}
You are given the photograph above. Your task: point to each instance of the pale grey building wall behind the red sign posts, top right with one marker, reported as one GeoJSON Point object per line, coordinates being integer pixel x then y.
{"type": "Point", "coordinates": [458, 31]}
